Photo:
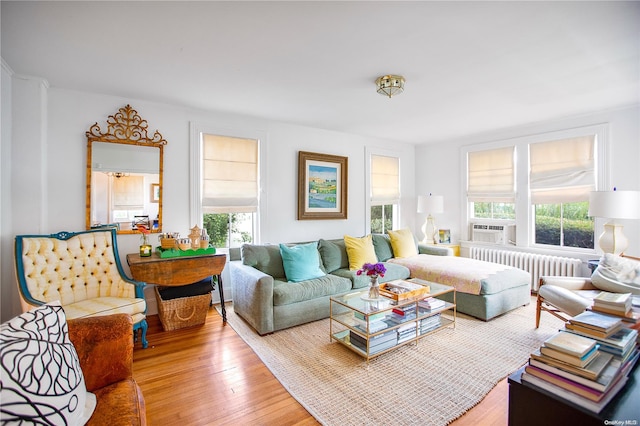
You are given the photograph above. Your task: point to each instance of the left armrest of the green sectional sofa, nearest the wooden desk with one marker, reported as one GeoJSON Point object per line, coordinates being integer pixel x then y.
{"type": "Point", "coordinates": [252, 296]}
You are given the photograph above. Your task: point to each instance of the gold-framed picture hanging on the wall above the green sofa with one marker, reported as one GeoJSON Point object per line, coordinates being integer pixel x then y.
{"type": "Point", "coordinates": [322, 186]}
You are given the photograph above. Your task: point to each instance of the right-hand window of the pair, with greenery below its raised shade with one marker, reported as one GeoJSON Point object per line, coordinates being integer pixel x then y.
{"type": "Point", "coordinates": [561, 176]}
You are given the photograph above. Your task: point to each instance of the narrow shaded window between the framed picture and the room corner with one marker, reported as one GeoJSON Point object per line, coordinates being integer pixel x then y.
{"type": "Point", "coordinates": [385, 192]}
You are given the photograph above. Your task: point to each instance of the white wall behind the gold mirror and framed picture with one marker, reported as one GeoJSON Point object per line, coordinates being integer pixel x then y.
{"type": "Point", "coordinates": [49, 187]}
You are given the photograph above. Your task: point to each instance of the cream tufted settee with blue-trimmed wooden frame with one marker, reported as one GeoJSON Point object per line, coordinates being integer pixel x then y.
{"type": "Point", "coordinates": [83, 271]}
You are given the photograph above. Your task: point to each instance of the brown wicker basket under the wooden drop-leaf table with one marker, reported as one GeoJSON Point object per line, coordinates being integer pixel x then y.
{"type": "Point", "coordinates": [183, 311]}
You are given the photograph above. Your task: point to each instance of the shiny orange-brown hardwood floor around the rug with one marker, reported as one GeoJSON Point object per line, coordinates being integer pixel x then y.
{"type": "Point", "coordinates": [209, 376]}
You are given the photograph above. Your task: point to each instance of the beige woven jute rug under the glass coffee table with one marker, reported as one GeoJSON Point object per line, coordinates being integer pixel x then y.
{"type": "Point", "coordinates": [432, 382]}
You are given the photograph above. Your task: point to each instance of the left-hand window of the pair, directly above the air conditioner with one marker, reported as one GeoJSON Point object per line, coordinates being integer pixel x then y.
{"type": "Point", "coordinates": [491, 183]}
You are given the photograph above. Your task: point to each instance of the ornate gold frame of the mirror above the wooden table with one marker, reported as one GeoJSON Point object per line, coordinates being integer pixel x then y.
{"type": "Point", "coordinates": [128, 128]}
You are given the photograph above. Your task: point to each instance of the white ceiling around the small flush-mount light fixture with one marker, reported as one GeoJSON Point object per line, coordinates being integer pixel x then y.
{"type": "Point", "coordinates": [470, 66]}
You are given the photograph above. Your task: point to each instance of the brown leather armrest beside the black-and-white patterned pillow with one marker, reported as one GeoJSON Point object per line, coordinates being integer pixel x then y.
{"type": "Point", "coordinates": [105, 348]}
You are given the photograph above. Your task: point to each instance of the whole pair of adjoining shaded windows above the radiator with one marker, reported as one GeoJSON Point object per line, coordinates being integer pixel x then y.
{"type": "Point", "coordinates": [540, 182]}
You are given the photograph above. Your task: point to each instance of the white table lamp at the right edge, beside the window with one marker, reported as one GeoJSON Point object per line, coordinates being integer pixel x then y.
{"type": "Point", "coordinates": [614, 205]}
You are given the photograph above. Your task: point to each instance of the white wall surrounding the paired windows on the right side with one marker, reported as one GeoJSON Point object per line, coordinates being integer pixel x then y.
{"type": "Point", "coordinates": [443, 175]}
